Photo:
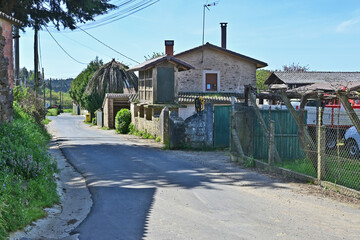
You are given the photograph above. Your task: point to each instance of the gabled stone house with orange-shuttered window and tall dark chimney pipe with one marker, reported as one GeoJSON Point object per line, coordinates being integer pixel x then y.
{"type": "Point", "coordinates": [218, 75]}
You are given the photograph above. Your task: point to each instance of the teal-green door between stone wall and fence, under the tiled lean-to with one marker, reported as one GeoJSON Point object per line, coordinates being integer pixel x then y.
{"type": "Point", "coordinates": [222, 126]}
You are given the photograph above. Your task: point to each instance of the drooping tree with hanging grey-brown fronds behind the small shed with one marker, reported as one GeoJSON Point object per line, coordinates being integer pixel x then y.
{"type": "Point", "coordinates": [110, 78]}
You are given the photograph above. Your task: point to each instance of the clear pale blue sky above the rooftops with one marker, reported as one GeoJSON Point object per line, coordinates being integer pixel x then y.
{"type": "Point", "coordinates": [322, 34]}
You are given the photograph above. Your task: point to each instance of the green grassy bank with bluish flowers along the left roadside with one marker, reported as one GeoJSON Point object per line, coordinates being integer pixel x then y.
{"type": "Point", "coordinates": [27, 183]}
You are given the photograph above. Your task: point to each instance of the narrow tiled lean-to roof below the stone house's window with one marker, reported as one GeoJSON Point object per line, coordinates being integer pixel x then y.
{"type": "Point", "coordinates": [221, 98]}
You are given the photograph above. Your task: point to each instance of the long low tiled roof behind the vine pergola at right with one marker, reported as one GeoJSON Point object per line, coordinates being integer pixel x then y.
{"type": "Point", "coordinates": [312, 77]}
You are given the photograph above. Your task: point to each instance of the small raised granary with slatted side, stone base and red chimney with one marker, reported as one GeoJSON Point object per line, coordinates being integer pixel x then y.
{"type": "Point", "coordinates": [156, 91]}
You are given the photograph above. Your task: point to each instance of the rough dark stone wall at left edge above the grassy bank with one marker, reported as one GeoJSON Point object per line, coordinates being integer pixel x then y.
{"type": "Point", "coordinates": [6, 96]}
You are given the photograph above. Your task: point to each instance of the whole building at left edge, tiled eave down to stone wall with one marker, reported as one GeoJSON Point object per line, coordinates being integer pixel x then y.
{"type": "Point", "coordinates": [6, 66]}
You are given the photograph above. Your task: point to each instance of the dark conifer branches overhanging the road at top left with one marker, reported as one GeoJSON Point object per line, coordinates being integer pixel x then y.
{"type": "Point", "coordinates": [66, 13]}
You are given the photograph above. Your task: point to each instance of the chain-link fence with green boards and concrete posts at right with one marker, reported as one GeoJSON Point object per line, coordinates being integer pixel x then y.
{"type": "Point", "coordinates": [325, 145]}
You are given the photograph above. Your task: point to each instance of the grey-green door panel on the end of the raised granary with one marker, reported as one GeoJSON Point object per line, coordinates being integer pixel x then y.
{"type": "Point", "coordinates": [165, 85]}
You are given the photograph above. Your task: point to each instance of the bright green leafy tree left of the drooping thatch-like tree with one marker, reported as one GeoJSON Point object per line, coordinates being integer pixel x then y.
{"type": "Point", "coordinates": [79, 84]}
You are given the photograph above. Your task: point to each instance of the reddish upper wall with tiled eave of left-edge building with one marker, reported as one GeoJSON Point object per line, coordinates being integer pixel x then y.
{"type": "Point", "coordinates": [6, 24]}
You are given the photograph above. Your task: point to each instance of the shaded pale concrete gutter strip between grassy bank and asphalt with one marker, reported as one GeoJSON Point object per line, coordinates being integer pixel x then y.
{"type": "Point", "coordinates": [75, 203]}
